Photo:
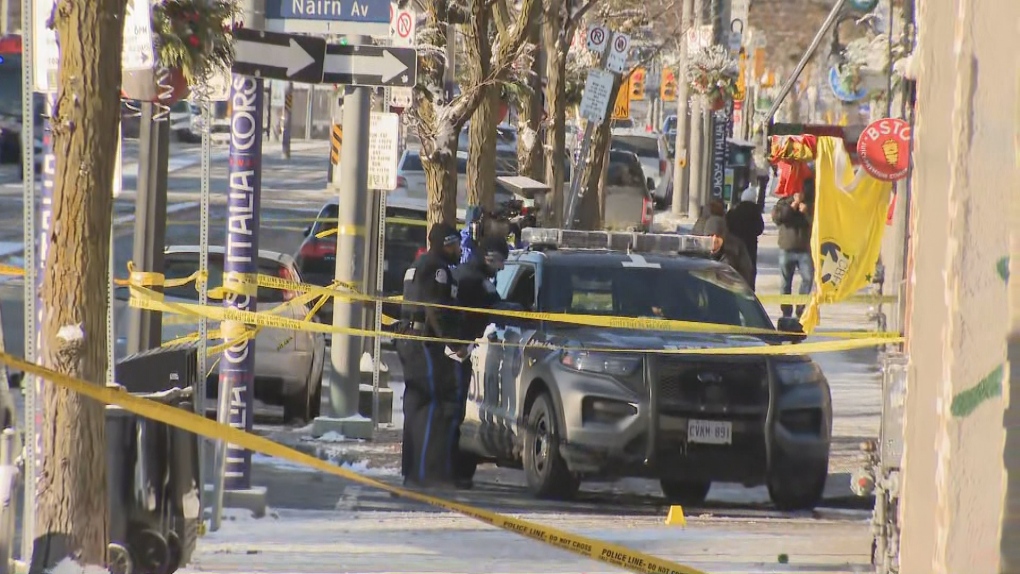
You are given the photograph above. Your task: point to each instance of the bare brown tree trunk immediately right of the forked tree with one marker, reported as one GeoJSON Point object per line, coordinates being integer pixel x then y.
{"type": "Point", "coordinates": [482, 155]}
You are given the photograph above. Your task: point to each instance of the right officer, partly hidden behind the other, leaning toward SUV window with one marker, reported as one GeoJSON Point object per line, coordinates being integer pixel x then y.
{"type": "Point", "coordinates": [477, 290]}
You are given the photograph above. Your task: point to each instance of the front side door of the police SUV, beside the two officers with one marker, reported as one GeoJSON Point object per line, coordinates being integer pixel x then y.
{"type": "Point", "coordinates": [480, 426]}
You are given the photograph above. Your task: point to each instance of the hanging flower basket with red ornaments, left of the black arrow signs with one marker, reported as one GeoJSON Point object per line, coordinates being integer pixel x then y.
{"type": "Point", "coordinates": [193, 37]}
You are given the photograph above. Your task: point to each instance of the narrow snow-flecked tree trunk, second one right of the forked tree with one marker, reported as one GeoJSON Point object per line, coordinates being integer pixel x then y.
{"type": "Point", "coordinates": [530, 144]}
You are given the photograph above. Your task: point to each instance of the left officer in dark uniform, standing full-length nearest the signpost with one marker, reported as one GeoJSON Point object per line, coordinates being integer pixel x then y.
{"type": "Point", "coordinates": [430, 375]}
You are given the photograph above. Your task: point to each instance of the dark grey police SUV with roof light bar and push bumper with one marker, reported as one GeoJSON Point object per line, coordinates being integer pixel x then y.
{"type": "Point", "coordinates": [569, 403]}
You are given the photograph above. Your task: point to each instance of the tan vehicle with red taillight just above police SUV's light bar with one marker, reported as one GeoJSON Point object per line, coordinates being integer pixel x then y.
{"type": "Point", "coordinates": [629, 201]}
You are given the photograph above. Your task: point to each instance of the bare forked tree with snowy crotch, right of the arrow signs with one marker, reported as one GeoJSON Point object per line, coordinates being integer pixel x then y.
{"type": "Point", "coordinates": [439, 120]}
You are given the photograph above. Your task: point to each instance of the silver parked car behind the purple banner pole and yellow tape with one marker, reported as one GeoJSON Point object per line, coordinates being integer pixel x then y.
{"type": "Point", "coordinates": [288, 364]}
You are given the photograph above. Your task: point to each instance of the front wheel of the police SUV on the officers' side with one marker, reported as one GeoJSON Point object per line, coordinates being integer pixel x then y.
{"type": "Point", "coordinates": [546, 472]}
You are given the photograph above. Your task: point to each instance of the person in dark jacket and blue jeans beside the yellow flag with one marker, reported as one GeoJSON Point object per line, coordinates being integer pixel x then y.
{"type": "Point", "coordinates": [794, 217]}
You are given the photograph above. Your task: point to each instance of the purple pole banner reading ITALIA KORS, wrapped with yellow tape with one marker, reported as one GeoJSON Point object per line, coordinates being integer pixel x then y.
{"type": "Point", "coordinates": [241, 262]}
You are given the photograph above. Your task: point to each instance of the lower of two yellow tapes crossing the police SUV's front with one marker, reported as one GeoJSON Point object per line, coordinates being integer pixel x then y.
{"type": "Point", "coordinates": [141, 299]}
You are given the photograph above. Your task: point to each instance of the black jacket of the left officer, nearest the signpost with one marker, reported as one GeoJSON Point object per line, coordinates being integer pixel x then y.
{"type": "Point", "coordinates": [430, 280]}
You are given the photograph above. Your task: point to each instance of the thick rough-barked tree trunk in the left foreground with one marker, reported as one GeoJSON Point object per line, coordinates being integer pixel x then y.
{"type": "Point", "coordinates": [73, 511]}
